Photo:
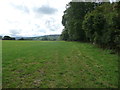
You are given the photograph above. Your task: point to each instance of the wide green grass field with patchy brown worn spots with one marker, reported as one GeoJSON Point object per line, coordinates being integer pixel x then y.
{"type": "Point", "coordinates": [51, 64]}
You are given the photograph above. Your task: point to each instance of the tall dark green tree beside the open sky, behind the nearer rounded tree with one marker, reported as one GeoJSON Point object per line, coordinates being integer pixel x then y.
{"type": "Point", "coordinates": [73, 18]}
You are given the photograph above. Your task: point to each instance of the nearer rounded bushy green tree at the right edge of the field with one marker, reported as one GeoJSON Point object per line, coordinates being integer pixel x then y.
{"type": "Point", "coordinates": [102, 26]}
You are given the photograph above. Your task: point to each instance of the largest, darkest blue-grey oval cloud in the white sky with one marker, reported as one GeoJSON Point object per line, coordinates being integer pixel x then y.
{"type": "Point", "coordinates": [45, 10]}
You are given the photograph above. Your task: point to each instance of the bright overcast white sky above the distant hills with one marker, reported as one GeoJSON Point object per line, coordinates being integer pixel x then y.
{"type": "Point", "coordinates": [31, 17]}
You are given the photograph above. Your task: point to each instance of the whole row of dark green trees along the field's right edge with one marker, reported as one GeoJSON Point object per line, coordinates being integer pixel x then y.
{"type": "Point", "coordinates": [97, 23]}
